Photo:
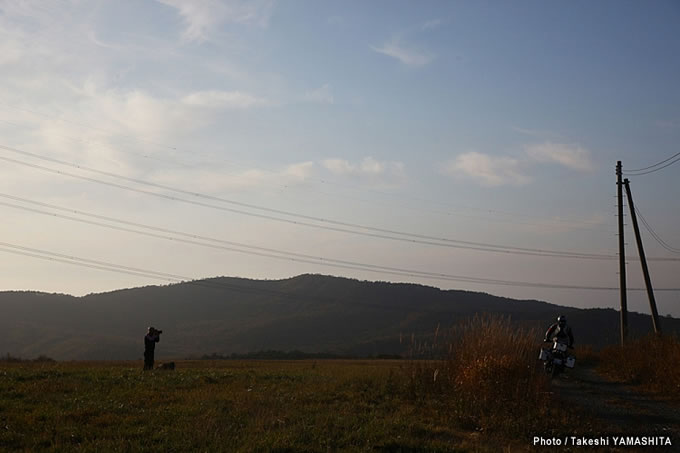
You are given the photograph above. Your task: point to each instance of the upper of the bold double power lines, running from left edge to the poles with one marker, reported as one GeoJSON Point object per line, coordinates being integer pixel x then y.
{"type": "Point", "coordinates": [343, 226]}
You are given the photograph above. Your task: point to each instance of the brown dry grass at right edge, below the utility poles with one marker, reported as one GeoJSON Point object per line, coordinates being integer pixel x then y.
{"type": "Point", "coordinates": [651, 362]}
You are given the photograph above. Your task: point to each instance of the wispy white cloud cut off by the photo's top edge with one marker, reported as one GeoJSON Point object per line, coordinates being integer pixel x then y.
{"type": "Point", "coordinates": [203, 17]}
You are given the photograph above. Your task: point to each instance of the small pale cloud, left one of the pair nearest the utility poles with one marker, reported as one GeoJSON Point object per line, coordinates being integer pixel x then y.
{"type": "Point", "coordinates": [487, 170]}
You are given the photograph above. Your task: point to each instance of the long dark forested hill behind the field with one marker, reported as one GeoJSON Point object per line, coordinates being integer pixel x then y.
{"type": "Point", "coordinates": [310, 313]}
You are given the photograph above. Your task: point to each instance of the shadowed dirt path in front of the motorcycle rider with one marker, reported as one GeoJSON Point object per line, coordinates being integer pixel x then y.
{"type": "Point", "coordinates": [623, 408]}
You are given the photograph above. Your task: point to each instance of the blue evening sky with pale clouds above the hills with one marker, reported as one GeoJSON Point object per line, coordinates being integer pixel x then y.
{"type": "Point", "coordinates": [441, 143]}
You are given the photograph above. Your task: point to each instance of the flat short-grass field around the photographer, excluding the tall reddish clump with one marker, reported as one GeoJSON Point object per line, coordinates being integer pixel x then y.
{"type": "Point", "coordinates": [225, 406]}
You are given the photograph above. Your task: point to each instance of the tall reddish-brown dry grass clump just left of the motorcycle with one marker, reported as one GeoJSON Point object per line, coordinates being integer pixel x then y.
{"type": "Point", "coordinates": [492, 380]}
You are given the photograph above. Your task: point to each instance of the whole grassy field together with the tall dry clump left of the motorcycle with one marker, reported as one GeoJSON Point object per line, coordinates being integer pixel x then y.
{"type": "Point", "coordinates": [484, 396]}
